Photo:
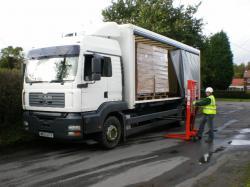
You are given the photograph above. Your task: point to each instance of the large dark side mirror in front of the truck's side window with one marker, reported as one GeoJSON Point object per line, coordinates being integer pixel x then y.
{"type": "Point", "coordinates": [96, 67]}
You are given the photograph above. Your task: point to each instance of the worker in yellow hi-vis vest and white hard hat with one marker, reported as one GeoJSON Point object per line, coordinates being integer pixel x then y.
{"type": "Point", "coordinates": [208, 105]}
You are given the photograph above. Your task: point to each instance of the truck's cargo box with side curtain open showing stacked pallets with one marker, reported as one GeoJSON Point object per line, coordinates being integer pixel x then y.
{"type": "Point", "coordinates": [156, 68]}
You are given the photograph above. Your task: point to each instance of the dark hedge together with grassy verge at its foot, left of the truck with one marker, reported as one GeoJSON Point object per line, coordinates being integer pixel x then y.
{"type": "Point", "coordinates": [11, 128]}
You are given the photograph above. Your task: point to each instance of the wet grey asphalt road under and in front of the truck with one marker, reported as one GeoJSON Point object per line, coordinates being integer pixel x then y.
{"type": "Point", "coordinates": [147, 159]}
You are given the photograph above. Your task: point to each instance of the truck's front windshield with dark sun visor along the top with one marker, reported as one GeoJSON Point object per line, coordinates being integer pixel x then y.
{"type": "Point", "coordinates": [54, 64]}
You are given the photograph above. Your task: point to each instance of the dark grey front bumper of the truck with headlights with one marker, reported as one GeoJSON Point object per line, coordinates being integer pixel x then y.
{"type": "Point", "coordinates": [54, 123]}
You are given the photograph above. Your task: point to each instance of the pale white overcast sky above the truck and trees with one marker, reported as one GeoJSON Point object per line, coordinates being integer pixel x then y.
{"type": "Point", "coordinates": [30, 23]}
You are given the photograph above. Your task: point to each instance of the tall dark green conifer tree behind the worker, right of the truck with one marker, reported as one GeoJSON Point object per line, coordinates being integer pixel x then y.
{"type": "Point", "coordinates": [218, 62]}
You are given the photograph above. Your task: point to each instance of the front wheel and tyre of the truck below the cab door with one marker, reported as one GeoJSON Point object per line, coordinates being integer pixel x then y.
{"type": "Point", "coordinates": [111, 134]}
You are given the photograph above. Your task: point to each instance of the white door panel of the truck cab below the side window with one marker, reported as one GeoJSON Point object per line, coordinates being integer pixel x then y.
{"type": "Point", "coordinates": [95, 92]}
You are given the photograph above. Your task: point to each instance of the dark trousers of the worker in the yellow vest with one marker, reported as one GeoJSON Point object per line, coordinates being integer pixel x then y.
{"type": "Point", "coordinates": [207, 118]}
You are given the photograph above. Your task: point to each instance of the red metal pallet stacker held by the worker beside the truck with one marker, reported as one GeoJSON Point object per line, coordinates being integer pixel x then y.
{"type": "Point", "coordinates": [190, 131]}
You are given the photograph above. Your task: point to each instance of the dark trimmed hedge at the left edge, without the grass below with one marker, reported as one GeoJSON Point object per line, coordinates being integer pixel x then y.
{"type": "Point", "coordinates": [10, 97]}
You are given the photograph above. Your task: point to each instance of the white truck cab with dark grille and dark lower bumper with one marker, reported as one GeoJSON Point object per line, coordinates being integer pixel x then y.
{"type": "Point", "coordinates": [63, 81]}
